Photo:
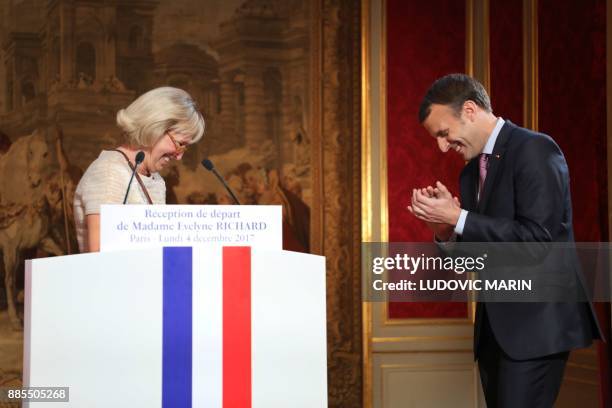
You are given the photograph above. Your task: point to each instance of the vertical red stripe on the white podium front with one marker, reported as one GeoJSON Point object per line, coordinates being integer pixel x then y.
{"type": "Point", "coordinates": [237, 327]}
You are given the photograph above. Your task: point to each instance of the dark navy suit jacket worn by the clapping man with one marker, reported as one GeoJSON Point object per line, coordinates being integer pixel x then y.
{"type": "Point", "coordinates": [526, 198]}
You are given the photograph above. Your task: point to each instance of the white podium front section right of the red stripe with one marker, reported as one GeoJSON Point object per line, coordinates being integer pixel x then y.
{"type": "Point", "coordinates": [289, 357]}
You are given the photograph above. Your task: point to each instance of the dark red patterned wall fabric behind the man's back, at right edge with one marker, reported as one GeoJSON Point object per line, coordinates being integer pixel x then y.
{"type": "Point", "coordinates": [572, 62]}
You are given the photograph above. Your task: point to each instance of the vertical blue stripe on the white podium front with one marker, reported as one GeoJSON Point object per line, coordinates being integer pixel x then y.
{"type": "Point", "coordinates": [176, 345]}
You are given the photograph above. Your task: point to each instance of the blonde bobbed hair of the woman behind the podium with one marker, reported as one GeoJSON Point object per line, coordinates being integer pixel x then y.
{"type": "Point", "coordinates": [152, 114]}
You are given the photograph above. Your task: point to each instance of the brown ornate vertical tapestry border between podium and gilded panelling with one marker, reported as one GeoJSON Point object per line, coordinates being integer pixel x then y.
{"type": "Point", "coordinates": [338, 195]}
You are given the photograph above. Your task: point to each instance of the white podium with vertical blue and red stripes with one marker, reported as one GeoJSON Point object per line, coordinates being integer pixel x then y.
{"type": "Point", "coordinates": [177, 327]}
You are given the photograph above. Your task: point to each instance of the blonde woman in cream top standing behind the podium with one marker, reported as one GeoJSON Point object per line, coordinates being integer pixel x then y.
{"type": "Point", "coordinates": [158, 127]}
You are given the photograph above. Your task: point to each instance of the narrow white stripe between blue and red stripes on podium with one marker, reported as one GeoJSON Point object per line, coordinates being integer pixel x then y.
{"type": "Point", "coordinates": [207, 380]}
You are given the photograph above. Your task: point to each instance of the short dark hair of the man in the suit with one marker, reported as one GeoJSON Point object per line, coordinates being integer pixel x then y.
{"type": "Point", "coordinates": [453, 90]}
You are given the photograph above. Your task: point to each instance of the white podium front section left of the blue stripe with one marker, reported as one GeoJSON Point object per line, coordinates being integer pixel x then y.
{"type": "Point", "coordinates": [97, 328]}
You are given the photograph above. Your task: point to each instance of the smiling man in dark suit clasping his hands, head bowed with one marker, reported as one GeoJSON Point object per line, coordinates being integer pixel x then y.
{"type": "Point", "coordinates": [514, 188]}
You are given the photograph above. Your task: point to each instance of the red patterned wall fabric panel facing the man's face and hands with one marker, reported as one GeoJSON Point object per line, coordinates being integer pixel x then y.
{"type": "Point", "coordinates": [425, 40]}
